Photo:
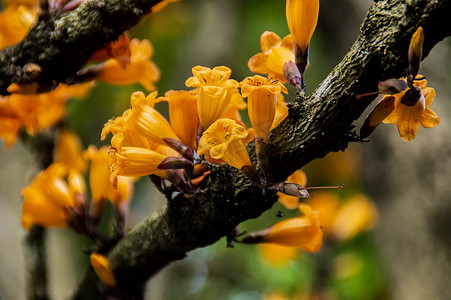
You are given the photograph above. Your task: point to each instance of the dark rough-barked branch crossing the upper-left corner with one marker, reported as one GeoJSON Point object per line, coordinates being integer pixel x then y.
{"type": "Point", "coordinates": [62, 44]}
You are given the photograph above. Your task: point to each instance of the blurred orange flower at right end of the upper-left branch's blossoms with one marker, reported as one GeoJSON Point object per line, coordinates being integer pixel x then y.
{"type": "Point", "coordinates": [140, 69]}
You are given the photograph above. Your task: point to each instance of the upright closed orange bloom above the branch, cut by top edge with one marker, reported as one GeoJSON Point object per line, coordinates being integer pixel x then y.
{"type": "Point", "coordinates": [302, 16]}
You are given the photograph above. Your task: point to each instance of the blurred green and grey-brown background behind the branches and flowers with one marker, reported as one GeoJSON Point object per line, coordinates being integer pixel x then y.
{"type": "Point", "coordinates": [406, 255]}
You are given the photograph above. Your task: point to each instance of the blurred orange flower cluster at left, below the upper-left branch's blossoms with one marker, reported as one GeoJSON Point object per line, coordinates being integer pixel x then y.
{"type": "Point", "coordinates": [57, 197]}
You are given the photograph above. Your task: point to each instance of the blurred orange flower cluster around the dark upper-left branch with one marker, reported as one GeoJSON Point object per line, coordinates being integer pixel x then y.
{"type": "Point", "coordinates": [37, 107]}
